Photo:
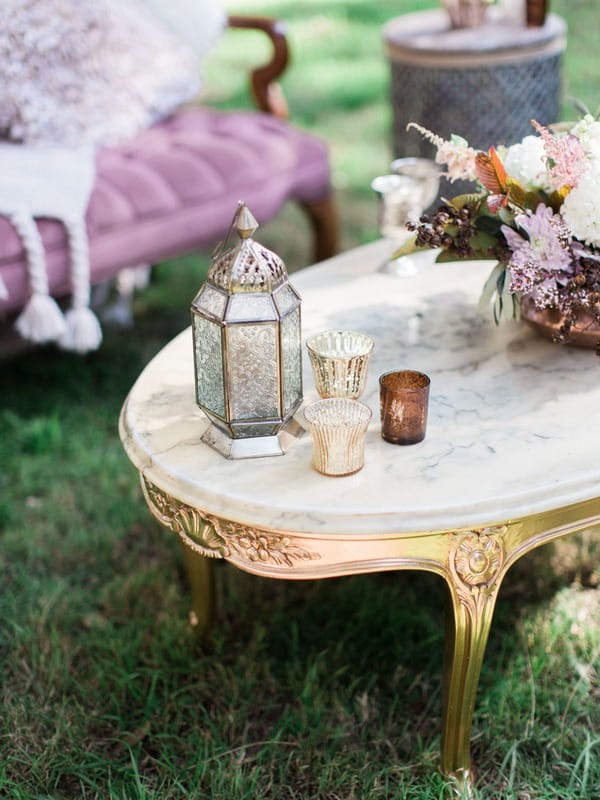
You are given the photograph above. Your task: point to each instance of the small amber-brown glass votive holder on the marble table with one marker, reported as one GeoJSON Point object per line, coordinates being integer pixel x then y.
{"type": "Point", "coordinates": [404, 399]}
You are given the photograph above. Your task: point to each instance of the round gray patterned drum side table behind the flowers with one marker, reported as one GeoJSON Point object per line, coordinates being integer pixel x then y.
{"type": "Point", "coordinates": [483, 83]}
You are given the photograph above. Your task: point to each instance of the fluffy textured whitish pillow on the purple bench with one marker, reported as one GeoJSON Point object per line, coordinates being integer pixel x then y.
{"type": "Point", "coordinates": [91, 71]}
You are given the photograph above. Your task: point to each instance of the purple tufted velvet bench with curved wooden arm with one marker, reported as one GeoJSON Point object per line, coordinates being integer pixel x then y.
{"type": "Point", "coordinates": [175, 187]}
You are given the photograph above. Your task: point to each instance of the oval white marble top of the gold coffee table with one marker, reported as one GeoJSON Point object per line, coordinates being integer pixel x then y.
{"type": "Point", "coordinates": [512, 430]}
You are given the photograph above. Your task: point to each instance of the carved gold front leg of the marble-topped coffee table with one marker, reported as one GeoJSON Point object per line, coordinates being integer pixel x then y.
{"type": "Point", "coordinates": [473, 581]}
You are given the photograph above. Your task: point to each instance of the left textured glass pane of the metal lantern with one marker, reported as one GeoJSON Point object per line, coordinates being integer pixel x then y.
{"type": "Point", "coordinates": [209, 365]}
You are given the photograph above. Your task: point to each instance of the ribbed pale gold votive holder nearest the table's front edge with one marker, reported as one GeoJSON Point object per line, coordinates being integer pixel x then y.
{"type": "Point", "coordinates": [337, 427]}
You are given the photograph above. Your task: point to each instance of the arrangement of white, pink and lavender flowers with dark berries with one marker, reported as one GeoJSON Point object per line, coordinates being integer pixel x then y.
{"type": "Point", "coordinates": [537, 212]}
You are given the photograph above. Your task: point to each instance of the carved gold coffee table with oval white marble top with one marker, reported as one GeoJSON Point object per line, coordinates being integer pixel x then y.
{"type": "Point", "coordinates": [509, 463]}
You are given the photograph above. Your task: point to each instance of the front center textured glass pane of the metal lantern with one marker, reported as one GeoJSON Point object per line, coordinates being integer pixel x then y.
{"type": "Point", "coordinates": [252, 370]}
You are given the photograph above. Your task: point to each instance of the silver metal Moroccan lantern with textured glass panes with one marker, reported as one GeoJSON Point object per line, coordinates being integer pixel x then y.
{"type": "Point", "coordinates": [247, 348]}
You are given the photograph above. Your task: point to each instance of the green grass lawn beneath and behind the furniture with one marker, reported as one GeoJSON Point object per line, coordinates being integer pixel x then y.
{"type": "Point", "coordinates": [324, 690]}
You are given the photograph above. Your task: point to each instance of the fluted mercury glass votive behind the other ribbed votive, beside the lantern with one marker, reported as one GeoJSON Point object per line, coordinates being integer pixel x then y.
{"type": "Point", "coordinates": [340, 360]}
